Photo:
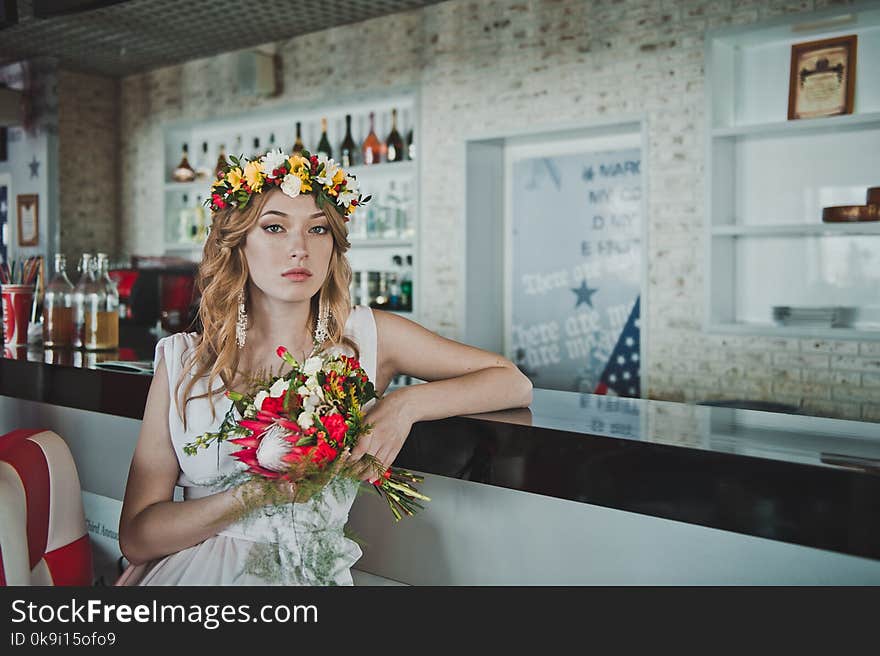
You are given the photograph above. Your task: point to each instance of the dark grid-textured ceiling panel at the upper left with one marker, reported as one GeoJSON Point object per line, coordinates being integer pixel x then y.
{"type": "Point", "coordinates": [139, 35]}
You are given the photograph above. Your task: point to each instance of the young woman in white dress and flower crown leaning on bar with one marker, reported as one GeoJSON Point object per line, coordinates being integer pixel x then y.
{"type": "Point", "coordinates": [276, 249]}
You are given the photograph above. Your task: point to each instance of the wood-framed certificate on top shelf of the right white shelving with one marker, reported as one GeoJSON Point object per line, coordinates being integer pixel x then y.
{"type": "Point", "coordinates": [823, 78]}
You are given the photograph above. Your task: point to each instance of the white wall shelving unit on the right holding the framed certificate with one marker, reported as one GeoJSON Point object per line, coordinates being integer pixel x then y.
{"type": "Point", "coordinates": [769, 178]}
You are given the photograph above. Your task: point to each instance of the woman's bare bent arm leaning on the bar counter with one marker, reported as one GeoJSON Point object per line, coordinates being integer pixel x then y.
{"type": "Point", "coordinates": [461, 379]}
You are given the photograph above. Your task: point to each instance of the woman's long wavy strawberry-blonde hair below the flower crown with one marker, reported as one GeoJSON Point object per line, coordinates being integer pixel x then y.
{"type": "Point", "coordinates": [223, 272]}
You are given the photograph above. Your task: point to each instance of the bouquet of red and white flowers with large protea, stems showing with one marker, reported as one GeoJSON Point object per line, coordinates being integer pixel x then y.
{"type": "Point", "coordinates": [296, 428]}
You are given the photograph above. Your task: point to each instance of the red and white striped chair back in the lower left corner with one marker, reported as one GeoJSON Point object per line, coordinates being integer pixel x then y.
{"type": "Point", "coordinates": [43, 537]}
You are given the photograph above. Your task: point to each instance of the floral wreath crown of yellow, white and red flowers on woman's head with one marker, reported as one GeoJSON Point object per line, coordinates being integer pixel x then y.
{"type": "Point", "coordinates": [295, 174]}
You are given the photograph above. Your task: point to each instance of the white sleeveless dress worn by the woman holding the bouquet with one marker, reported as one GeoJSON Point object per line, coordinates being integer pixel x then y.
{"type": "Point", "coordinates": [300, 544]}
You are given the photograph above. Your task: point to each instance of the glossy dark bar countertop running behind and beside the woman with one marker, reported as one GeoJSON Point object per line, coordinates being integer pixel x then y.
{"type": "Point", "coordinates": [805, 480]}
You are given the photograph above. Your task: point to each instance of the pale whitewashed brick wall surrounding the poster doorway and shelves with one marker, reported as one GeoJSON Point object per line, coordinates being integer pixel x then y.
{"type": "Point", "coordinates": [529, 64]}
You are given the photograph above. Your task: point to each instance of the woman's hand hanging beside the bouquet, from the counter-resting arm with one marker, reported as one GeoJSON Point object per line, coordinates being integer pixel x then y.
{"type": "Point", "coordinates": [391, 426]}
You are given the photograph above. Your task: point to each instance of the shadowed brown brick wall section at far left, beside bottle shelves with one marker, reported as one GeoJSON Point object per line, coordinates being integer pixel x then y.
{"type": "Point", "coordinates": [88, 166]}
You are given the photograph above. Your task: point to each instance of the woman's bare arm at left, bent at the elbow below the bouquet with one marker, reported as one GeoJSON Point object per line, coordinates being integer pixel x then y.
{"type": "Point", "coordinates": [152, 525]}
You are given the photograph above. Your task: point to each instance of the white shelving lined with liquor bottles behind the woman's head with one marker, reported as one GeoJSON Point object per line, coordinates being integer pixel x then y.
{"type": "Point", "coordinates": [386, 227]}
